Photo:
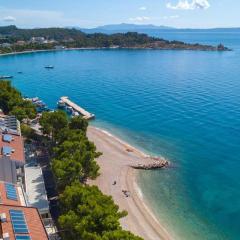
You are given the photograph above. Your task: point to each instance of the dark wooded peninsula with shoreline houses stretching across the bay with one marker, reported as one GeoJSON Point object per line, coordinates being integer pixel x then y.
{"type": "Point", "coordinates": [14, 40]}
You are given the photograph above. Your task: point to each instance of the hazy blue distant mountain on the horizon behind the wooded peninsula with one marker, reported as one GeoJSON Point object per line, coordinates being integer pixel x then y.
{"type": "Point", "coordinates": [123, 28]}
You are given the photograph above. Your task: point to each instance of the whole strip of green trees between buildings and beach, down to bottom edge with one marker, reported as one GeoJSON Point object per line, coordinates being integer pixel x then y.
{"type": "Point", "coordinates": [86, 213]}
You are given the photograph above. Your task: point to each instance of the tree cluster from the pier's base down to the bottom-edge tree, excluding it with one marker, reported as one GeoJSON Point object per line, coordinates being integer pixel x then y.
{"type": "Point", "coordinates": [73, 154]}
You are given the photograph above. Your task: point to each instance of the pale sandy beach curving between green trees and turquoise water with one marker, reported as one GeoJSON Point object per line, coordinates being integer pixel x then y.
{"type": "Point", "coordinates": [115, 165]}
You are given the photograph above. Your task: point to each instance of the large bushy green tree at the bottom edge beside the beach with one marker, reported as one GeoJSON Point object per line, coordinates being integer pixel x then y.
{"type": "Point", "coordinates": [90, 215]}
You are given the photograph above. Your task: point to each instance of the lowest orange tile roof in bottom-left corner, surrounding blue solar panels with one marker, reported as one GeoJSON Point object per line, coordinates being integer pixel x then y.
{"type": "Point", "coordinates": [33, 221]}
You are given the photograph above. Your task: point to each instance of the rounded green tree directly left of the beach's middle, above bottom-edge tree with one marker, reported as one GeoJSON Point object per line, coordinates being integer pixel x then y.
{"type": "Point", "coordinates": [75, 160]}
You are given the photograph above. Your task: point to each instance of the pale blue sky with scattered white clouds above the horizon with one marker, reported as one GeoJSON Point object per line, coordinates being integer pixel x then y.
{"type": "Point", "coordinates": [92, 13]}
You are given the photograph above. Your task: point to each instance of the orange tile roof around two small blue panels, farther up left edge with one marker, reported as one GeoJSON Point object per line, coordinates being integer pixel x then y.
{"type": "Point", "coordinates": [16, 145]}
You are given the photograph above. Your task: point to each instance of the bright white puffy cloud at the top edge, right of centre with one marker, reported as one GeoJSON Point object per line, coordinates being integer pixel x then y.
{"type": "Point", "coordinates": [189, 5]}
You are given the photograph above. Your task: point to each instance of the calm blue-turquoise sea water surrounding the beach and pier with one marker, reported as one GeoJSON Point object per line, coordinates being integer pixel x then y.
{"type": "Point", "coordinates": [180, 104]}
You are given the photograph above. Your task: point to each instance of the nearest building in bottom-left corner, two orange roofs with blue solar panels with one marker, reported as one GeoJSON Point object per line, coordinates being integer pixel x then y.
{"type": "Point", "coordinates": [17, 220]}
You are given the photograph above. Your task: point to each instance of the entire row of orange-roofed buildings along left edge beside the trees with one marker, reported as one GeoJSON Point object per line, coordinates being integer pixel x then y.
{"type": "Point", "coordinates": [24, 206]}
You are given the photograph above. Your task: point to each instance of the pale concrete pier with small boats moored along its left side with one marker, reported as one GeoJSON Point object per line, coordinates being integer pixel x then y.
{"type": "Point", "coordinates": [74, 109]}
